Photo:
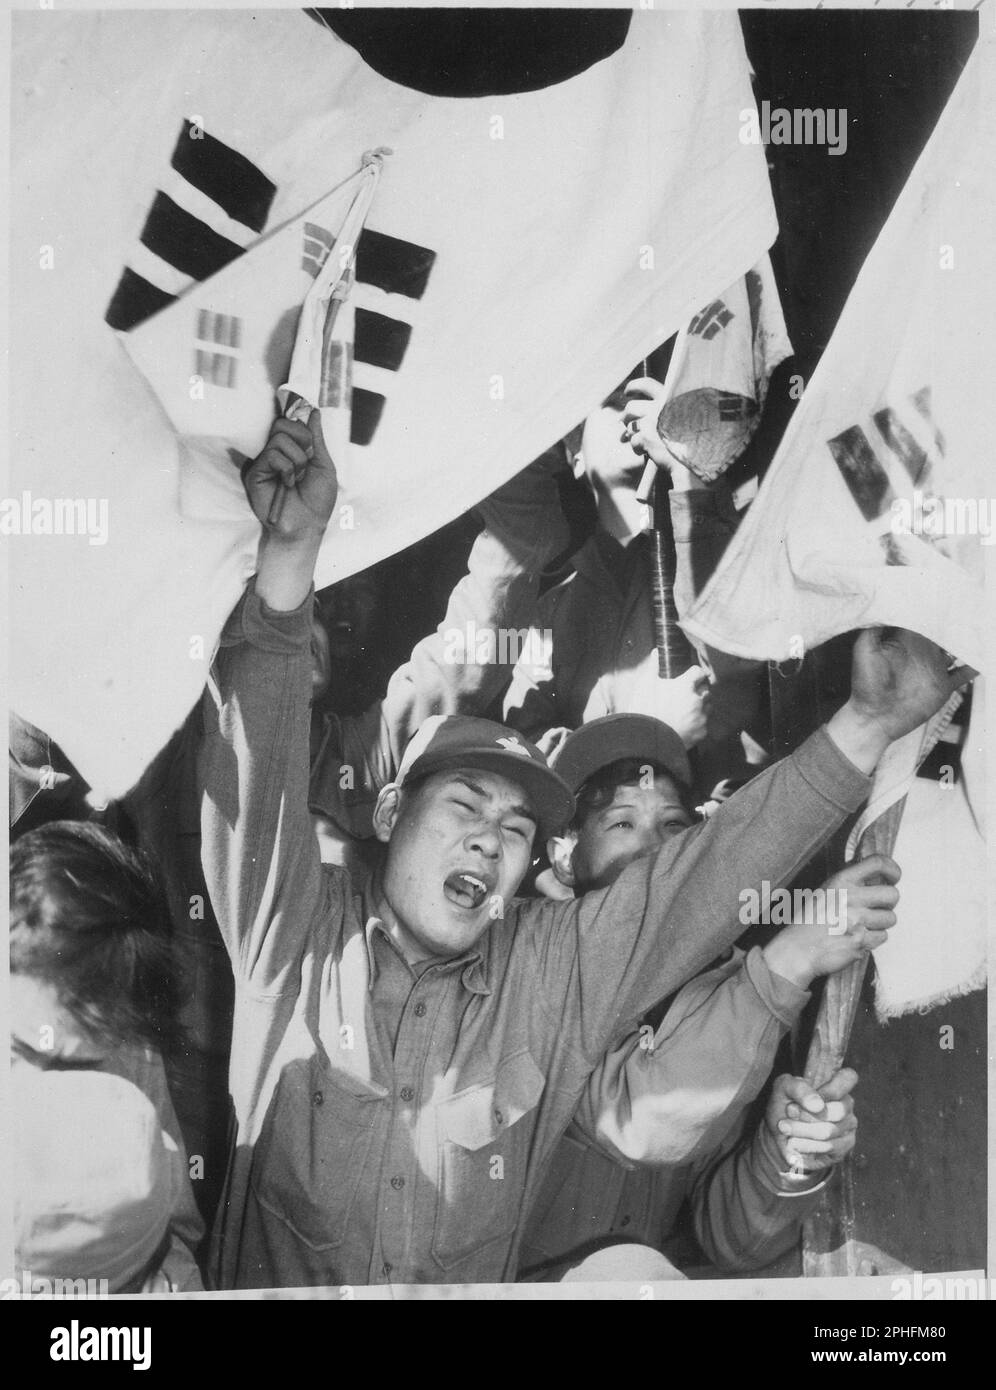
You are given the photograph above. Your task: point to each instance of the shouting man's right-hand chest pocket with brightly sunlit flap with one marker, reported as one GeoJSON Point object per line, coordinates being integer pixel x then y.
{"type": "Point", "coordinates": [485, 1136]}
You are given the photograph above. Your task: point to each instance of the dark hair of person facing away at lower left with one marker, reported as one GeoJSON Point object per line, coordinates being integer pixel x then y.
{"type": "Point", "coordinates": [88, 915]}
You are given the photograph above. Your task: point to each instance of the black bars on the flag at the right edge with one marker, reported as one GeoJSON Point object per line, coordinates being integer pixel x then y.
{"type": "Point", "coordinates": [868, 480]}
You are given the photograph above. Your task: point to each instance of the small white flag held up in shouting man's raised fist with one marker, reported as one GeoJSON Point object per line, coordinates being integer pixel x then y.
{"type": "Point", "coordinates": [223, 412]}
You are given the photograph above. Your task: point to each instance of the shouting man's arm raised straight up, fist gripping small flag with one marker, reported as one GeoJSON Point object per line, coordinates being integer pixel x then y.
{"type": "Point", "coordinates": [259, 850]}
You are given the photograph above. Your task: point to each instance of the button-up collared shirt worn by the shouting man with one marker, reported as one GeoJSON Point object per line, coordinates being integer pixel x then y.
{"type": "Point", "coordinates": [394, 1124]}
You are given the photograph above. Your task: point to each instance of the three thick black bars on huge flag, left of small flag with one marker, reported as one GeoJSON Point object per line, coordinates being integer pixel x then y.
{"type": "Point", "coordinates": [213, 205]}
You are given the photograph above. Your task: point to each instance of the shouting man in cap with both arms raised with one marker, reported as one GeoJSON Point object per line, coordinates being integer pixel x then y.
{"type": "Point", "coordinates": [404, 1063]}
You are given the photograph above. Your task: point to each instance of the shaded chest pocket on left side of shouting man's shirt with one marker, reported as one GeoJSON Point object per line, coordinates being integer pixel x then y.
{"type": "Point", "coordinates": [313, 1150]}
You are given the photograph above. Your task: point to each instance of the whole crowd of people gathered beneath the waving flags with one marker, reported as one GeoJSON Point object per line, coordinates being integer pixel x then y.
{"type": "Point", "coordinates": [449, 986]}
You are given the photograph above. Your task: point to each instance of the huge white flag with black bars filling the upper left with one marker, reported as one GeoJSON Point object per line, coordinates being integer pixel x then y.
{"type": "Point", "coordinates": [522, 254]}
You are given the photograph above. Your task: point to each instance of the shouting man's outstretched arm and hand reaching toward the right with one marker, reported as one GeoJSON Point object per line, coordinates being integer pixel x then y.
{"type": "Point", "coordinates": [609, 958]}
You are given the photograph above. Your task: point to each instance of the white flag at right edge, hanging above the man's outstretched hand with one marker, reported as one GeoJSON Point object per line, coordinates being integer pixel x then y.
{"type": "Point", "coordinates": [877, 507]}
